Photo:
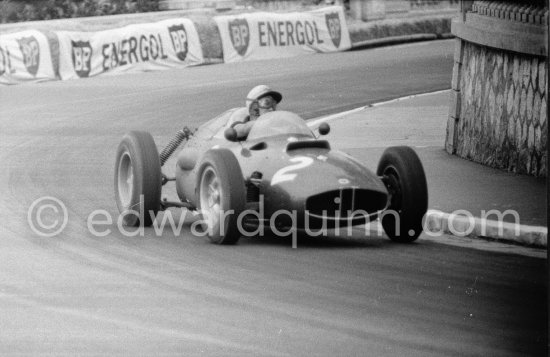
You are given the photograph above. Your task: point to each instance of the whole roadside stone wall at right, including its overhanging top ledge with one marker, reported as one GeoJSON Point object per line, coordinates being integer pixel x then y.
{"type": "Point", "coordinates": [498, 111]}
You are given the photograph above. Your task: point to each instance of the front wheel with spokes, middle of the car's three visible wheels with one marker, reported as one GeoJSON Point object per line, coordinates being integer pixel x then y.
{"type": "Point", "coordinates": [221, 169]}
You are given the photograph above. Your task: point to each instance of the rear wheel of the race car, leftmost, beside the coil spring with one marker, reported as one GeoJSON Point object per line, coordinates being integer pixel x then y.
{"type": "Point", "coordinates": [137, 152]}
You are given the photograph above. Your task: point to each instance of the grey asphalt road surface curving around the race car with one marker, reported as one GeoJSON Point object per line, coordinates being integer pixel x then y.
{"type": "Point", "coordinates": [170, 294]}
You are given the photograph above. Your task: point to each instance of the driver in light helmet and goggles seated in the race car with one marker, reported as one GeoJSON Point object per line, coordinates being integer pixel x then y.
{"type": "Point", "coordinates": [260, 100]}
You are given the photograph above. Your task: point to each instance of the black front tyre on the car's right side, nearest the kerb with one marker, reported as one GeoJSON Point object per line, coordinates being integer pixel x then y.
{"type": "Point", "coordinates": [403, 174]}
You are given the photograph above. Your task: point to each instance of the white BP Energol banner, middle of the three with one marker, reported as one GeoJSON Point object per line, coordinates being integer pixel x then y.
{"type": "Point", "coordinates": [134, 48]}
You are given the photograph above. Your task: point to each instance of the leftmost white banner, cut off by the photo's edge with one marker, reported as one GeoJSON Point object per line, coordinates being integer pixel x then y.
{"type": "Point", "coordinates": [25, 56]}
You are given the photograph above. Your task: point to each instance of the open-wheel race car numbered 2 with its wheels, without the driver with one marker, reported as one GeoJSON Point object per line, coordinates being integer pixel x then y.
{"type": "Point", "coordinates": [282, 176]}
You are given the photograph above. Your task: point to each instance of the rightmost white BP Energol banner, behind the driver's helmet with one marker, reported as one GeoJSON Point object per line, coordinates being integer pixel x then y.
{"type": "Point", "coordinates": [264, 35]}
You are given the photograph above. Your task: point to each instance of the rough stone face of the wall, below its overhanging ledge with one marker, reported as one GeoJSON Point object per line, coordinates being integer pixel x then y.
{"type": "Point", "coordinates": [503, 122]}
